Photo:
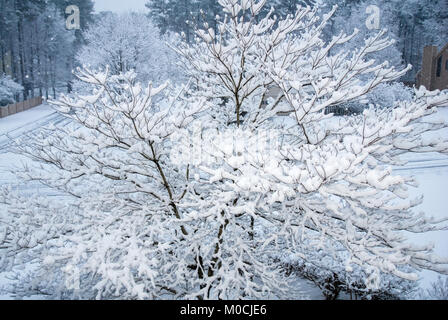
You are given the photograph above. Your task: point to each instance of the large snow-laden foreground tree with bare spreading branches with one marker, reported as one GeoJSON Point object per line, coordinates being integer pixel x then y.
{"type": "Point", "coordinates": [198, 193]}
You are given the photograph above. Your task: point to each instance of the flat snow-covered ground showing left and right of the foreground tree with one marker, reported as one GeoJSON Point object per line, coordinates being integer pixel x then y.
{"type": "Point", "coordinates": [430, 170]}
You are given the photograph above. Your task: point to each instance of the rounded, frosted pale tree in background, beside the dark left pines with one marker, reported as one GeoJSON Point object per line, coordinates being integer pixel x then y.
{"type": "Point", "coordinates": [125, 42]}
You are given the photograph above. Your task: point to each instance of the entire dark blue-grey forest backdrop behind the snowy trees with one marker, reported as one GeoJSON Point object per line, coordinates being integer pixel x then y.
{"type": "Point", "coordinates": [38, 53]}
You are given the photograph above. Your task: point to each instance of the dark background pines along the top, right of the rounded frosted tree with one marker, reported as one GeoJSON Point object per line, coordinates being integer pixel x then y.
{"type": "Point", "coordinates": [414, 23]}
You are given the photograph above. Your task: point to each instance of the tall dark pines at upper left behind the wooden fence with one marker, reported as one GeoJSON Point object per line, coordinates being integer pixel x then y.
{"type": "Point", "coordinates": [36, 49]}
